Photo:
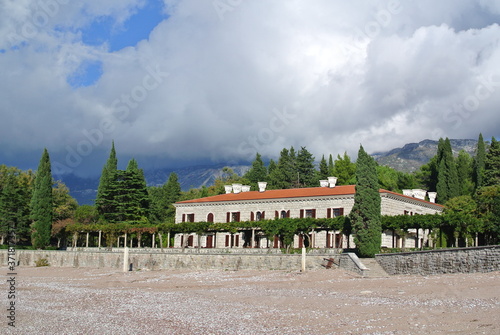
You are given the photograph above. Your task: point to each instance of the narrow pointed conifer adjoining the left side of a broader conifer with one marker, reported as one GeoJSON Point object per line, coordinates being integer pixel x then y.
{"type": "Point", "coordinates": [104, 200]}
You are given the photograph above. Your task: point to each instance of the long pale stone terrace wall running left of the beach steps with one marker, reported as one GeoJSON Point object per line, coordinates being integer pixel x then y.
{"type": "Point", "coordinates": [164, 261]}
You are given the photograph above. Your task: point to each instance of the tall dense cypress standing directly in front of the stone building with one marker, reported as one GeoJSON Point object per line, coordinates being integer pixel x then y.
{"type": "Point", "coordinates": [365, 214]}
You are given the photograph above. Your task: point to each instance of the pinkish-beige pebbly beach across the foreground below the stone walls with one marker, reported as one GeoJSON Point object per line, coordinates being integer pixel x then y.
{"type": "Point", "coordinates": [105, 301]}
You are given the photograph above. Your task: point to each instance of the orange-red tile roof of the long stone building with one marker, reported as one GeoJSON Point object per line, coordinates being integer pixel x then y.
{"type": "Point", "coordinates": [288, 193]}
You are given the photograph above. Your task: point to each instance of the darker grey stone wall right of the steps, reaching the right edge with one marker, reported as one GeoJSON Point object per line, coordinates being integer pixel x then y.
{"type": "Point", "coordinates": [464, 260]}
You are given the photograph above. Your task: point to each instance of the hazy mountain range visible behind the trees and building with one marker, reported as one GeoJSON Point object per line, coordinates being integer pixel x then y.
{"type": "Point", "coordinates": [408, 158]}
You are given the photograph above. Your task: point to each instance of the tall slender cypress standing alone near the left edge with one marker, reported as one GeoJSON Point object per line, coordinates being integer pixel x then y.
{"type": "Point", "coordinates": [41, 204]}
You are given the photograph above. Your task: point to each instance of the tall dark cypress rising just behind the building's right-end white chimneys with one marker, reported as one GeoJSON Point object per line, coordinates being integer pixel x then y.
{"type": "Point", "coordinates": [447, 182]}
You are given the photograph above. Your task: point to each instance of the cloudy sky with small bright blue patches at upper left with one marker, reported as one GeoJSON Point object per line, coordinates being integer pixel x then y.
{"type": "Point", "coordinates": [182, 82]}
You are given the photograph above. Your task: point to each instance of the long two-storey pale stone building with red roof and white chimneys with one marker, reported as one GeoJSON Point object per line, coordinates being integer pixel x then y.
{"type": "Point", "coordinates": [326, 201]}
